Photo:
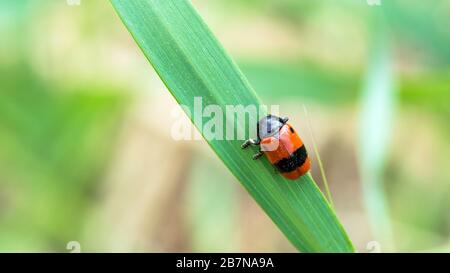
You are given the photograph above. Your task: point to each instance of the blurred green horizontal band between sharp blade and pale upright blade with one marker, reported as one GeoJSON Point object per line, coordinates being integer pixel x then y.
{"type": "Point", "coordinates": [307, 80]}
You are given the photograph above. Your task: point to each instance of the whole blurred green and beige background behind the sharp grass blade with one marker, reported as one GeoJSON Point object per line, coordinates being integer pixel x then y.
{"type": "Point", "coordinates": [86, 152]}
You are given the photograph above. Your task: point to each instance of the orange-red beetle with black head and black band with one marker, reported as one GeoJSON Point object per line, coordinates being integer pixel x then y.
{"type": "Point", "coordinates": [281, 144]}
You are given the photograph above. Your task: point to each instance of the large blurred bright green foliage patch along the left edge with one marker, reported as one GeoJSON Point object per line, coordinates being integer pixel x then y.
{"type": "Point", "coordinates": [54, 145]}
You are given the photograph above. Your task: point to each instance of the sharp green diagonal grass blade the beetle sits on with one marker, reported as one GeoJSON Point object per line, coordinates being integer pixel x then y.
{"type": "Point", "coordinates": [191, 63]}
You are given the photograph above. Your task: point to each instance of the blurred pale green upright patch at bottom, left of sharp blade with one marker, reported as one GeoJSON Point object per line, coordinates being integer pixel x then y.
{"type": "Point", "coordinates": [209, 199]}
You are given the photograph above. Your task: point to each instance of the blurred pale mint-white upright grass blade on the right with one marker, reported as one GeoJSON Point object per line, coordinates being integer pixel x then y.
{"type": "Point", "coordinates": [377, 115]}
